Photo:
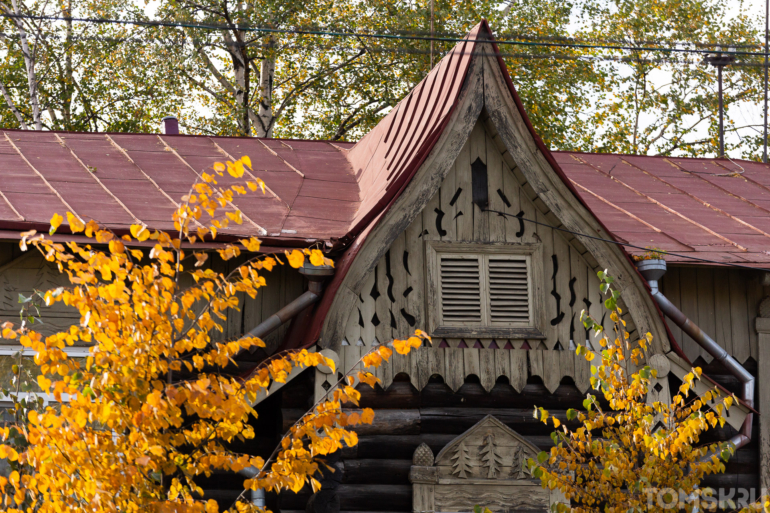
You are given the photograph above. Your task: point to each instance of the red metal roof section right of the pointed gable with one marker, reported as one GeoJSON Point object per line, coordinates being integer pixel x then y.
{"type": "Point", "coordinates": [715, 209]}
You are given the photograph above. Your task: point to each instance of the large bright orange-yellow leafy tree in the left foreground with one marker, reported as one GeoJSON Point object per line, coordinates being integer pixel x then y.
{"type": "Point", "coordinates": [154, 405]}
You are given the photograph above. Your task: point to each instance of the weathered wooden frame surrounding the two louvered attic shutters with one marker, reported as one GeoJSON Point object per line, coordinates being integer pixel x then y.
{"type": "Point", "coordinates": [532, 252]}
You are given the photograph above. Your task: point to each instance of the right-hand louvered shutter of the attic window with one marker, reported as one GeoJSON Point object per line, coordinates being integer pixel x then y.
{"type": "Point", "coordinates": [509, 290]}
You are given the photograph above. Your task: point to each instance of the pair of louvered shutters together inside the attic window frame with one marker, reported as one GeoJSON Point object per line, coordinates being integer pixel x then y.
{"type": "Point", "coordinates": [485, 290]}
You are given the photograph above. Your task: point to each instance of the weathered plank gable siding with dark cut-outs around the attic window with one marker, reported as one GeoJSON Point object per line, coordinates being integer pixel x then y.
{"type": "Point", "coordinates": [393, 300]}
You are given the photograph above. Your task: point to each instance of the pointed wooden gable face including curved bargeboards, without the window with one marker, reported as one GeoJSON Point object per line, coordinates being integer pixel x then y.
{"type": "Point", "coordinates": [369, 302]}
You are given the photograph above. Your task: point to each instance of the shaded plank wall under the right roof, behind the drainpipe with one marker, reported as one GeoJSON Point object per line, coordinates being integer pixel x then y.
{"type": "Point", "coordinates": [723, 302]}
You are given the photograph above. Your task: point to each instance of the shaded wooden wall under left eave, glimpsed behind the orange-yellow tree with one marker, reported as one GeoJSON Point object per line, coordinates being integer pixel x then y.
{"type": "Point", "coordinates": [22, 273]}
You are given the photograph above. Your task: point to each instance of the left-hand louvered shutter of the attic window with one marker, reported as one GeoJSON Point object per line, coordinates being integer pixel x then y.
{"type": "Point", "coordinates": [461, 302]}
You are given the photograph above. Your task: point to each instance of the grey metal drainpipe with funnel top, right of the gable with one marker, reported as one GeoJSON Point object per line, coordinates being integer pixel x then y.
{"type": "Point", "coordinates": [652, 271]}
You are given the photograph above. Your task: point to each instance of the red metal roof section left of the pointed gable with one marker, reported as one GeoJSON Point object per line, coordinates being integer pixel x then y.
{"type": "Point", "coordinates": [121, 179]}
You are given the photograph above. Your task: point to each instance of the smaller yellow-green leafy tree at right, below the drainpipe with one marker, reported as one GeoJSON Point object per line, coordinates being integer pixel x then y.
{"type": "Point", "coordinates": [622, 451]}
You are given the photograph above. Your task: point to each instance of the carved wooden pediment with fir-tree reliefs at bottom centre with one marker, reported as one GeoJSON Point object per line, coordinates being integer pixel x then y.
{"type": "Point", "coordinates": [483, 466]}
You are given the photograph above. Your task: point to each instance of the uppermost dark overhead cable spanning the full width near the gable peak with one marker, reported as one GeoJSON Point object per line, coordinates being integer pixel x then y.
{"type": "Point", "coordinates": [402, 37]}
